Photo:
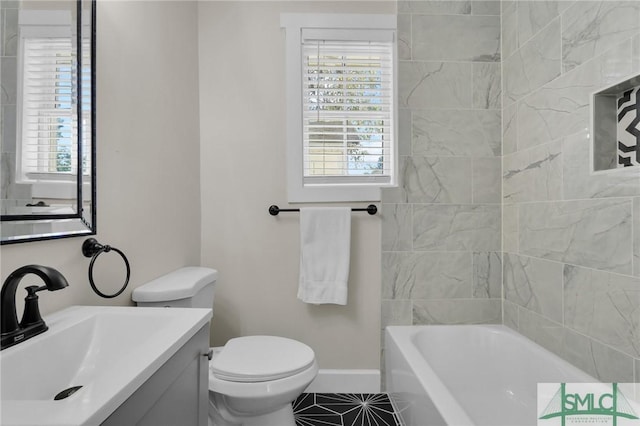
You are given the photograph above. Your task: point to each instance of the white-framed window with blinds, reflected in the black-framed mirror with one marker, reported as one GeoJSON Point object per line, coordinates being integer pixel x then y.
{"type": "Point", "coordinates": [48, 84]}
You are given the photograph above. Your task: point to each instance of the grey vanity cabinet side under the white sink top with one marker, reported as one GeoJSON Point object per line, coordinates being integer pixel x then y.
{"type": "Point", "coordinates": [176, 394]}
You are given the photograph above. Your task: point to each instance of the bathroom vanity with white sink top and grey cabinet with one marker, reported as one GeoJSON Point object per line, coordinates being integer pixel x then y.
{"type": "Point", "coordinates": [110, 366]}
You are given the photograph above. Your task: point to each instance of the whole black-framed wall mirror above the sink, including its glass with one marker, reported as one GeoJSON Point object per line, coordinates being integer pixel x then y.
{"type": "Point", "coordinates": [47, 137]}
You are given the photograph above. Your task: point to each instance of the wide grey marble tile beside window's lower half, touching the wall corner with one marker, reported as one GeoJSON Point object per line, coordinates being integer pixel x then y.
{"type": "Point", "coordinates": [460, 133]}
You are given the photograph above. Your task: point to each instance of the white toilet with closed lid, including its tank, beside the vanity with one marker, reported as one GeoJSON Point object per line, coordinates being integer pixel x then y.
{"type": "Point", "coordinates": [252, 380]}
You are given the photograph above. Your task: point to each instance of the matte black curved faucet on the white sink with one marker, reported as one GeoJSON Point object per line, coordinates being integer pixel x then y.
{"type": "Point", "coordinates": [32, 323]}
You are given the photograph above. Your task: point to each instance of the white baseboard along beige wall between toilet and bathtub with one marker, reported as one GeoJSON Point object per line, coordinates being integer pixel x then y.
{"type": "Point", "coordinates": [345, 381]}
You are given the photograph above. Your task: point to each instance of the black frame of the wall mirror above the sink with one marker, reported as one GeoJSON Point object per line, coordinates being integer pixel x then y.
{"type": "Point", "coordinates": [82, 219]}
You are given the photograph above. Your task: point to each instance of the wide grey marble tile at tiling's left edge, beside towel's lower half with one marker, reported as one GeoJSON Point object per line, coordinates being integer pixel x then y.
{"type": "Point", "coordinates": [411, 275]}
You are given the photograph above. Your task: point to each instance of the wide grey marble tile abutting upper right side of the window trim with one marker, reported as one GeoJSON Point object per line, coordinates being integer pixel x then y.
{"type": "Point", "coordinates": [435, 84]}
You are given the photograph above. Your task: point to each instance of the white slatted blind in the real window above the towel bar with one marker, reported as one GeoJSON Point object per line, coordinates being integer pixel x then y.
{"type": "Point", "coordinates": [347, 110]}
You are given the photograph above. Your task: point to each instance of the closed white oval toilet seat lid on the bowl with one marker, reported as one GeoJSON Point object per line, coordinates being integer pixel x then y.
{"type": "Point", "coordinates": [253, 359]}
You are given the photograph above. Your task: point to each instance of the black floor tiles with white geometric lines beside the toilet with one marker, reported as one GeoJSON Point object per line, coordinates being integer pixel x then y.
{"type": "Point", "coordinates": [344, 409]}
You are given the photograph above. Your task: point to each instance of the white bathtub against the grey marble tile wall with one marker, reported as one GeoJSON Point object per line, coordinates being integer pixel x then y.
{"type": "Point", "coordinates": [469, 374]}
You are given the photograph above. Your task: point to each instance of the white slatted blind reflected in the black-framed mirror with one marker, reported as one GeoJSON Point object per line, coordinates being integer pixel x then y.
{"type": "Point", "coordinates": [49, 111]}
